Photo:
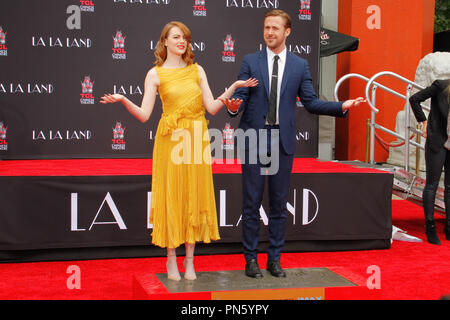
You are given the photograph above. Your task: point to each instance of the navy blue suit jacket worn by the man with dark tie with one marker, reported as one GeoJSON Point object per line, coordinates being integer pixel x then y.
{"type": "Point", "coordinates": [296, 82]}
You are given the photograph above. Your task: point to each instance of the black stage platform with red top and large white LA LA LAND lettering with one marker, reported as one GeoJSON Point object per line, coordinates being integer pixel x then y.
{"type": "Point", "coordinates": [92, 209]}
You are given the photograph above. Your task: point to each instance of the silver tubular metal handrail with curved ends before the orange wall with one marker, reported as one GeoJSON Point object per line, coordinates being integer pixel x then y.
{"type": "Point", "coordinates": [371, 101]}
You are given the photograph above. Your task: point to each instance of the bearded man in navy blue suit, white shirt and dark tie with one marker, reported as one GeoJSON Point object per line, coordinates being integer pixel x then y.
{"type": "Point", "coordinates": [270, 108]}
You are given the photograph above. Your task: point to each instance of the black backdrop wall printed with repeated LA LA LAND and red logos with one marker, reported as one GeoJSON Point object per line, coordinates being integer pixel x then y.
{"type": "Point", "coordinates": [58, 57]}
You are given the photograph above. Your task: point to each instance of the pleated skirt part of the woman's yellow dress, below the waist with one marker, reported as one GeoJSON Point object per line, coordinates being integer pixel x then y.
{"type": "Point", "coordinates": [183, 206]}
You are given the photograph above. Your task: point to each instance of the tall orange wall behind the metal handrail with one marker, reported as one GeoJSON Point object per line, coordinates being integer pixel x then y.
{"type": "Point", "coordinates": [405, 36]}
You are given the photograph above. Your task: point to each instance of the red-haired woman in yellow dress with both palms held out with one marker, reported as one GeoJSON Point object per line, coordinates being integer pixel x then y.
{"type": "Point", "coordinates": [183, 208]}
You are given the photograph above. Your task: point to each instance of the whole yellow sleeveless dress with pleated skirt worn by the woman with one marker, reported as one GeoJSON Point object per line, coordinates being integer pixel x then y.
{"type": "Point", "coordinates": [183, 206]}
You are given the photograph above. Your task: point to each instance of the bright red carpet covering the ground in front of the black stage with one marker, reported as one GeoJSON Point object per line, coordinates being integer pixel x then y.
{"type": "Point", "coordinates": [408, 270]}
